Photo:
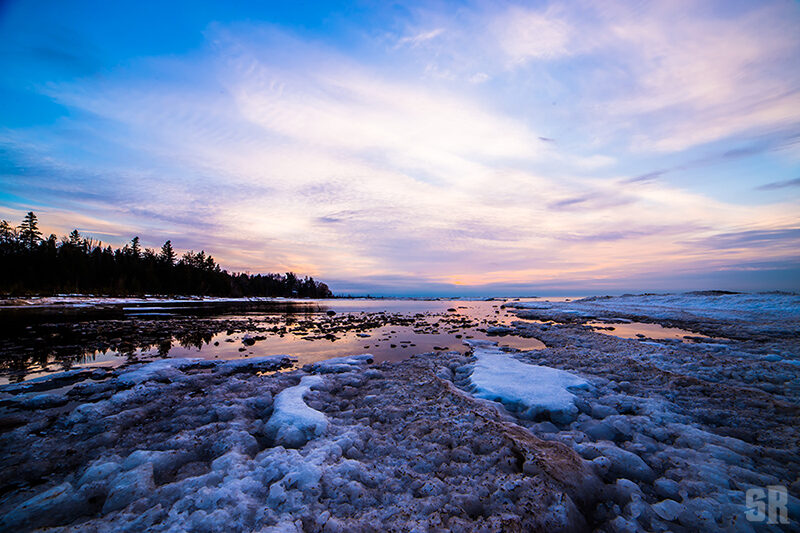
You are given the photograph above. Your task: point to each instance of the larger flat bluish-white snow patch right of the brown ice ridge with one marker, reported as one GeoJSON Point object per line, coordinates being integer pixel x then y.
{"type": "Point", "coordinates": [532, 390]}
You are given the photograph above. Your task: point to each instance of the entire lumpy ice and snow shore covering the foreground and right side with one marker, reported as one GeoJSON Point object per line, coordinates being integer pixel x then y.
{"type": "Point", "coordinates": [593, 433]}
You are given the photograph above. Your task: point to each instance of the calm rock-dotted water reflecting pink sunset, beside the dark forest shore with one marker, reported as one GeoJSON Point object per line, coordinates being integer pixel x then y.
{"type": "Point", "coordinates": [391, 330]}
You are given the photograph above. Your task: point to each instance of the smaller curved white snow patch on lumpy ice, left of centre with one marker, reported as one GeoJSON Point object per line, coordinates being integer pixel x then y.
{"type": "Point", "coordinates": [293, 423]}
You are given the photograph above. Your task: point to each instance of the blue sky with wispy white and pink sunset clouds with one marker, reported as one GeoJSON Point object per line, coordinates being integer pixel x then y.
{"type": "Point", "coordinates": [419, 148]}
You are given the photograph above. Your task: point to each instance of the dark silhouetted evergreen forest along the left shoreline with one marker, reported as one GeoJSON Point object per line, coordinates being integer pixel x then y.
{"type": "Point", "coordinates": [31, 264]}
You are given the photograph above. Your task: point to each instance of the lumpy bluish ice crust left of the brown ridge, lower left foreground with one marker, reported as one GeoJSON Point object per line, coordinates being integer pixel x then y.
{"type": "Point", "coordinates": [196, 452]}
